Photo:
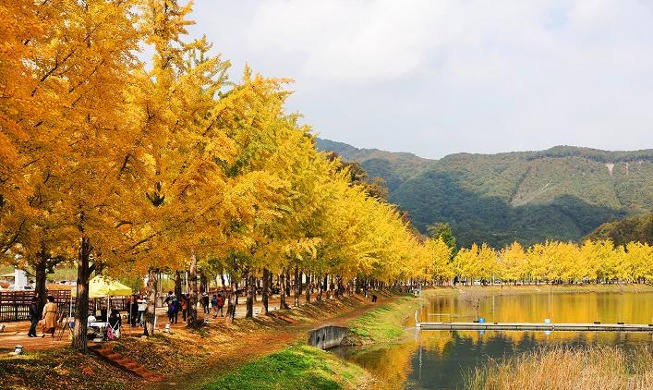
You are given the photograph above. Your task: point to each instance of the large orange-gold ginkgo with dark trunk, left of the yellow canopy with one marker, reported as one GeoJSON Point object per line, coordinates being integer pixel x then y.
{"type": "Point", "coordinates": [75, 154]}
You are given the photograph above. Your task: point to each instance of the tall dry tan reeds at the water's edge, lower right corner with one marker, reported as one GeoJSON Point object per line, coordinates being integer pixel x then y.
{"type": "Point", "coordinates": [595, 368]}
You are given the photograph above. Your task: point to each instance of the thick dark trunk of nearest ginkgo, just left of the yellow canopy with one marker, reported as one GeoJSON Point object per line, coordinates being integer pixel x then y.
{"type": "Point", "coordinates": [84, 271]}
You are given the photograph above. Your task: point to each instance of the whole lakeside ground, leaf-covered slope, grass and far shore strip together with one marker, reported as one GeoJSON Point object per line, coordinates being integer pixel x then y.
{"type": "Point", "coordinates": [266, 352]}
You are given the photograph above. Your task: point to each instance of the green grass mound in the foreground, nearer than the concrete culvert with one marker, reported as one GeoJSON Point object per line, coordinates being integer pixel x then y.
{"type": "Point", "coordinates": [296, 367]}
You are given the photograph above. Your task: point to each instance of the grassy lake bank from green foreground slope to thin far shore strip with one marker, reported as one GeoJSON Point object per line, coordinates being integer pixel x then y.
{"type": "Point", "coordinates": [377, 328]}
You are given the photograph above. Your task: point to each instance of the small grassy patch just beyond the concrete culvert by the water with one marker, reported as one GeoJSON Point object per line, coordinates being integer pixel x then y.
{"type": "Point", "coordinates": [384, 323]}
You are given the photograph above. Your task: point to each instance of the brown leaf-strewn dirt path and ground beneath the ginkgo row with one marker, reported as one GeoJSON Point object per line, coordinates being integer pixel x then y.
{"type": "Point", "coordinates": [197, 356]}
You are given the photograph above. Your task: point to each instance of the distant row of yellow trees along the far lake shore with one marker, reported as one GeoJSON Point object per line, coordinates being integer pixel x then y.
{"type": "Point", "coordinates": [555, 262]}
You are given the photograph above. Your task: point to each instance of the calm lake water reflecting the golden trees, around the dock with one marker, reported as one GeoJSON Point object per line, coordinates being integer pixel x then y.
{"type": "Point", "coordinates": [440, 360]}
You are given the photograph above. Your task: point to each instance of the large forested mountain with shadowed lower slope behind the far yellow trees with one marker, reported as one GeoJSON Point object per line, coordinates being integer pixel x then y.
{"type": "Point", "coordinates": [563, 193]}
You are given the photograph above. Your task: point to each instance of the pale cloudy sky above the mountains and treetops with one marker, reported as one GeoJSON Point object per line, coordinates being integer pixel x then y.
{"type": "Point", "coordinates": [437, 77]}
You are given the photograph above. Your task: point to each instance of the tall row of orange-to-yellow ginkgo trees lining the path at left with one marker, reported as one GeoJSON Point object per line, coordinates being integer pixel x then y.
{"type": "Point", "coordinates": [127, 168]}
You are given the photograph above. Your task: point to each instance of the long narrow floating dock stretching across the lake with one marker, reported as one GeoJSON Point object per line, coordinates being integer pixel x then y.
{"type": "Point", "coordinates": [531, 326]}
